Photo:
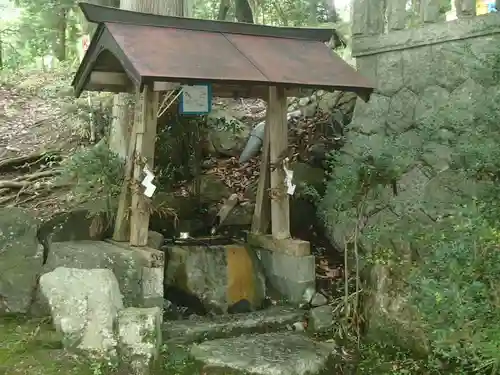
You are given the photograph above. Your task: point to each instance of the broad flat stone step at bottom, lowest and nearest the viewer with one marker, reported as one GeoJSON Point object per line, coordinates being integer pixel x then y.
{"type": "Point", "coordinates": [289, 353]}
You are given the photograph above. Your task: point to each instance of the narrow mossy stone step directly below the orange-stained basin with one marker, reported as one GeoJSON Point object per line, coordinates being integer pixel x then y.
{"type": "Point", "coordinates": [274, 319]}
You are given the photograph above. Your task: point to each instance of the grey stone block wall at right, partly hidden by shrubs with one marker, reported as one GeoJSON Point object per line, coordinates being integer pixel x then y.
{"type": "Point", "coordinates": [416, 71]}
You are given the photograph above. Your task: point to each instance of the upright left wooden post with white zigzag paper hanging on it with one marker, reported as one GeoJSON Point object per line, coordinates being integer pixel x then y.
{"type": "Point", "coordinates": [144, 155]}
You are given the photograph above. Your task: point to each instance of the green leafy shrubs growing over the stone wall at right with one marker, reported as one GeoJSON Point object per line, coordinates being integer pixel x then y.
{"type": "Point", "coordinates": [450, 274]}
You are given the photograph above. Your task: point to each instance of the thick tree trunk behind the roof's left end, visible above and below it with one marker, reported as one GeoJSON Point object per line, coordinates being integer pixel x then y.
{"type": "Point", "coordinates": [122, 109]}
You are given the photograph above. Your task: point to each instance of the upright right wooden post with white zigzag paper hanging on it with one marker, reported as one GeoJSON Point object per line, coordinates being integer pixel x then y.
{"type": "Point", "coordinates": [278, 141]}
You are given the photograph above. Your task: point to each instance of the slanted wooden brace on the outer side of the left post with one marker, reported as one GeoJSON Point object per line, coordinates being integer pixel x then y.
{"type": "Point", "coordinates": [122, 222]}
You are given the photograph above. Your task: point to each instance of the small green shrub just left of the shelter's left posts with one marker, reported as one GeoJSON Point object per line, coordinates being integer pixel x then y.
{"type": "Point", "coordinates": [97, 175]}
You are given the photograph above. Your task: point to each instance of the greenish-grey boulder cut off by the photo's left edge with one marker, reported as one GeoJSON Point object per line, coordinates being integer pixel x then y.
{"type": "Point", "coordinates": [20, 260]}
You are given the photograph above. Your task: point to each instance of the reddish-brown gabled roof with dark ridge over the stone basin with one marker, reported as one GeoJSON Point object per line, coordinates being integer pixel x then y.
{"type": "Point", "coordinates": [151, 48]}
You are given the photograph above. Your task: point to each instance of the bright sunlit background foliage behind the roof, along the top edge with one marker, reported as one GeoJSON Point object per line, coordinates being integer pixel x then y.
{"type": "Point", "coordinates": [53, 28]}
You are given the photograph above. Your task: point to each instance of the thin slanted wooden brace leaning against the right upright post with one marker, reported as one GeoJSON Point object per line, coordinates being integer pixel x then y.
{"type": "Point", "coordinates": [262, 212]}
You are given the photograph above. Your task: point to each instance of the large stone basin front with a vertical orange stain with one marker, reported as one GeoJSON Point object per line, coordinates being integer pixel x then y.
{"type": "Point", "coordinates": [219, 276]}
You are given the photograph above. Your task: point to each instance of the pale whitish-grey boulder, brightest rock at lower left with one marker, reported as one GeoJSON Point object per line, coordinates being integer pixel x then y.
{"type": "Point", "coordinates": [84, 306]}
